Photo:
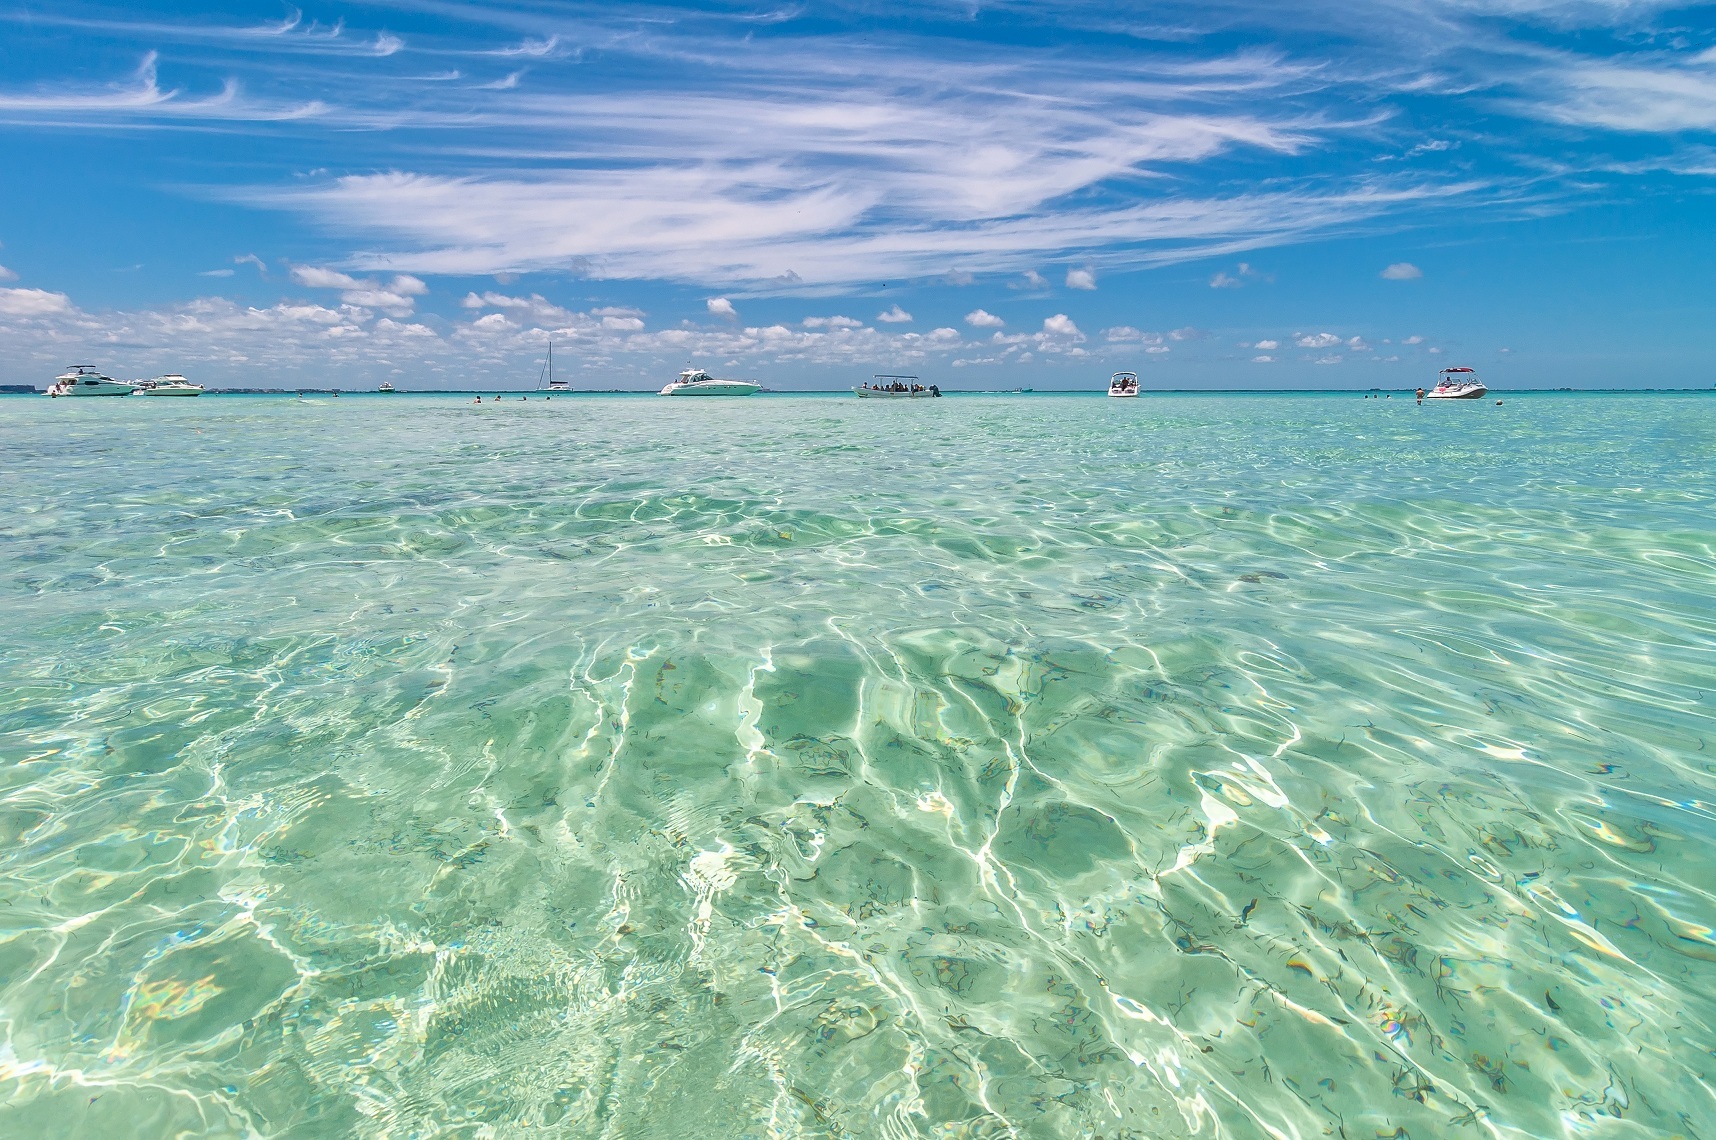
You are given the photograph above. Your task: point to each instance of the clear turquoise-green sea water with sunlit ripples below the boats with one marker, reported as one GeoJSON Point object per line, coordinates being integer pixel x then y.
{"type": "Point", "coordinates": [814, 768]}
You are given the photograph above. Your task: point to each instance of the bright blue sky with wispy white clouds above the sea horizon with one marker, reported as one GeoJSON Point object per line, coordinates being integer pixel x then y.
{"type": "Point", "coordinates": [1029, 193]}
